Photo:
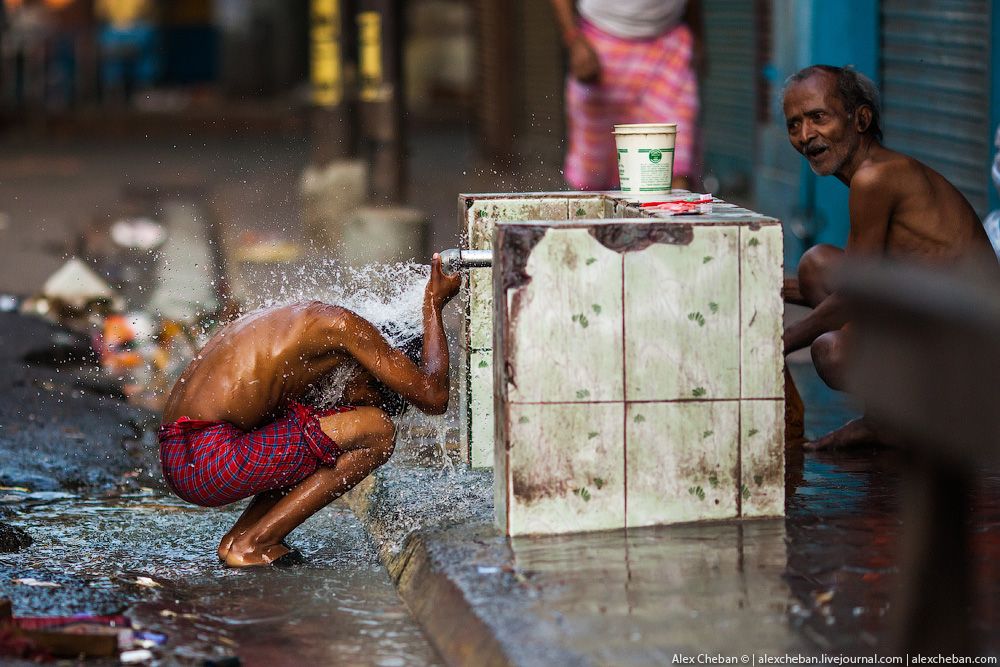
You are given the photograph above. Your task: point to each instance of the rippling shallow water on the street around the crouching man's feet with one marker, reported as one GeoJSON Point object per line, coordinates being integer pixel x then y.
{"type": "Point", "coordinates": [339, 608]}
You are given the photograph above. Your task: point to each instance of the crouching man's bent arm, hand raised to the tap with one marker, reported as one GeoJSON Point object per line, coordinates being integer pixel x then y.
{"type": "Point", "coordinates": [425, 387]}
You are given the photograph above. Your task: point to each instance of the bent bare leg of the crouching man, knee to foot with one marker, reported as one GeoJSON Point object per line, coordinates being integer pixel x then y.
{"type": "Point", "coordinates": [366, 437]}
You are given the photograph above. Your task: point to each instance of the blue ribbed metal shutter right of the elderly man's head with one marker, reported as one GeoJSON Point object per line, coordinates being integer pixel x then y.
{"type": "Point", "coordinates": [936, 88]}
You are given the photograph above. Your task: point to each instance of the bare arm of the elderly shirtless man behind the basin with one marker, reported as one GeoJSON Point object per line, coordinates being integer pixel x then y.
{"type": "Point", "coordinates": [870, 206]}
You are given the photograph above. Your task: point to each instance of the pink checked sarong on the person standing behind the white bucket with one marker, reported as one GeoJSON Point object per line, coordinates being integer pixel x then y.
{"type": "Point", "coordinates": [642, 81]}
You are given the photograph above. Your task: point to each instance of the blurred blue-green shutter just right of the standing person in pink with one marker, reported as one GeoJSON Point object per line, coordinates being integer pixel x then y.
{"type": "Point", "coordinates": [728, 93]}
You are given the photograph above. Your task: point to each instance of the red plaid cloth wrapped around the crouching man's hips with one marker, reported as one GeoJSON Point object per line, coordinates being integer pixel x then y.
{"type": "Point", "coordinates": [212, 463]}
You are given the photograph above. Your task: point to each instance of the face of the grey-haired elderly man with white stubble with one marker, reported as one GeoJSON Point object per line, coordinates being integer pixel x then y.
{"type": "Point", "coordinates": [818, 125]}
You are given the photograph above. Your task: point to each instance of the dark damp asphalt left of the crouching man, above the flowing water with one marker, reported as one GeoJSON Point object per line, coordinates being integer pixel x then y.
{"type": "Point", "coordinates": [59, 427]}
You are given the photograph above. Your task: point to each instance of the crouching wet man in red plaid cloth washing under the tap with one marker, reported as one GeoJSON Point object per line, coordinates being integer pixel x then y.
{"type": "Point", "coordinates": [235, 425]}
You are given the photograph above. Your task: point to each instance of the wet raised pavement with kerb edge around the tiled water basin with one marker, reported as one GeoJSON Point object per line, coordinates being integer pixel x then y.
{"type": "Point", "coordinates": [822, 580]}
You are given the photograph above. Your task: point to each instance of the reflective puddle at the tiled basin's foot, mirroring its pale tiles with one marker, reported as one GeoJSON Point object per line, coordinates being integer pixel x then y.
{"type": "Point", "coordinates": [820, 580]}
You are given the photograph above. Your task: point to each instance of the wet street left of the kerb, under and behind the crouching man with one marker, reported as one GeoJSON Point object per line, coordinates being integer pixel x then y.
{"type": "Point", "coordinates": [83, 510]}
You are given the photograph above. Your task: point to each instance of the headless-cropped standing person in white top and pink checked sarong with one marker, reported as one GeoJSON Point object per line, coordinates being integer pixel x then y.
{"type": "Point", "coordinates": [630, 61]}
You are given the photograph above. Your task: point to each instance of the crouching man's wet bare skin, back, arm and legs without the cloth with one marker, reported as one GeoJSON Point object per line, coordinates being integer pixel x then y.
{"type": "Point", "coordinates": [249, 371]}
